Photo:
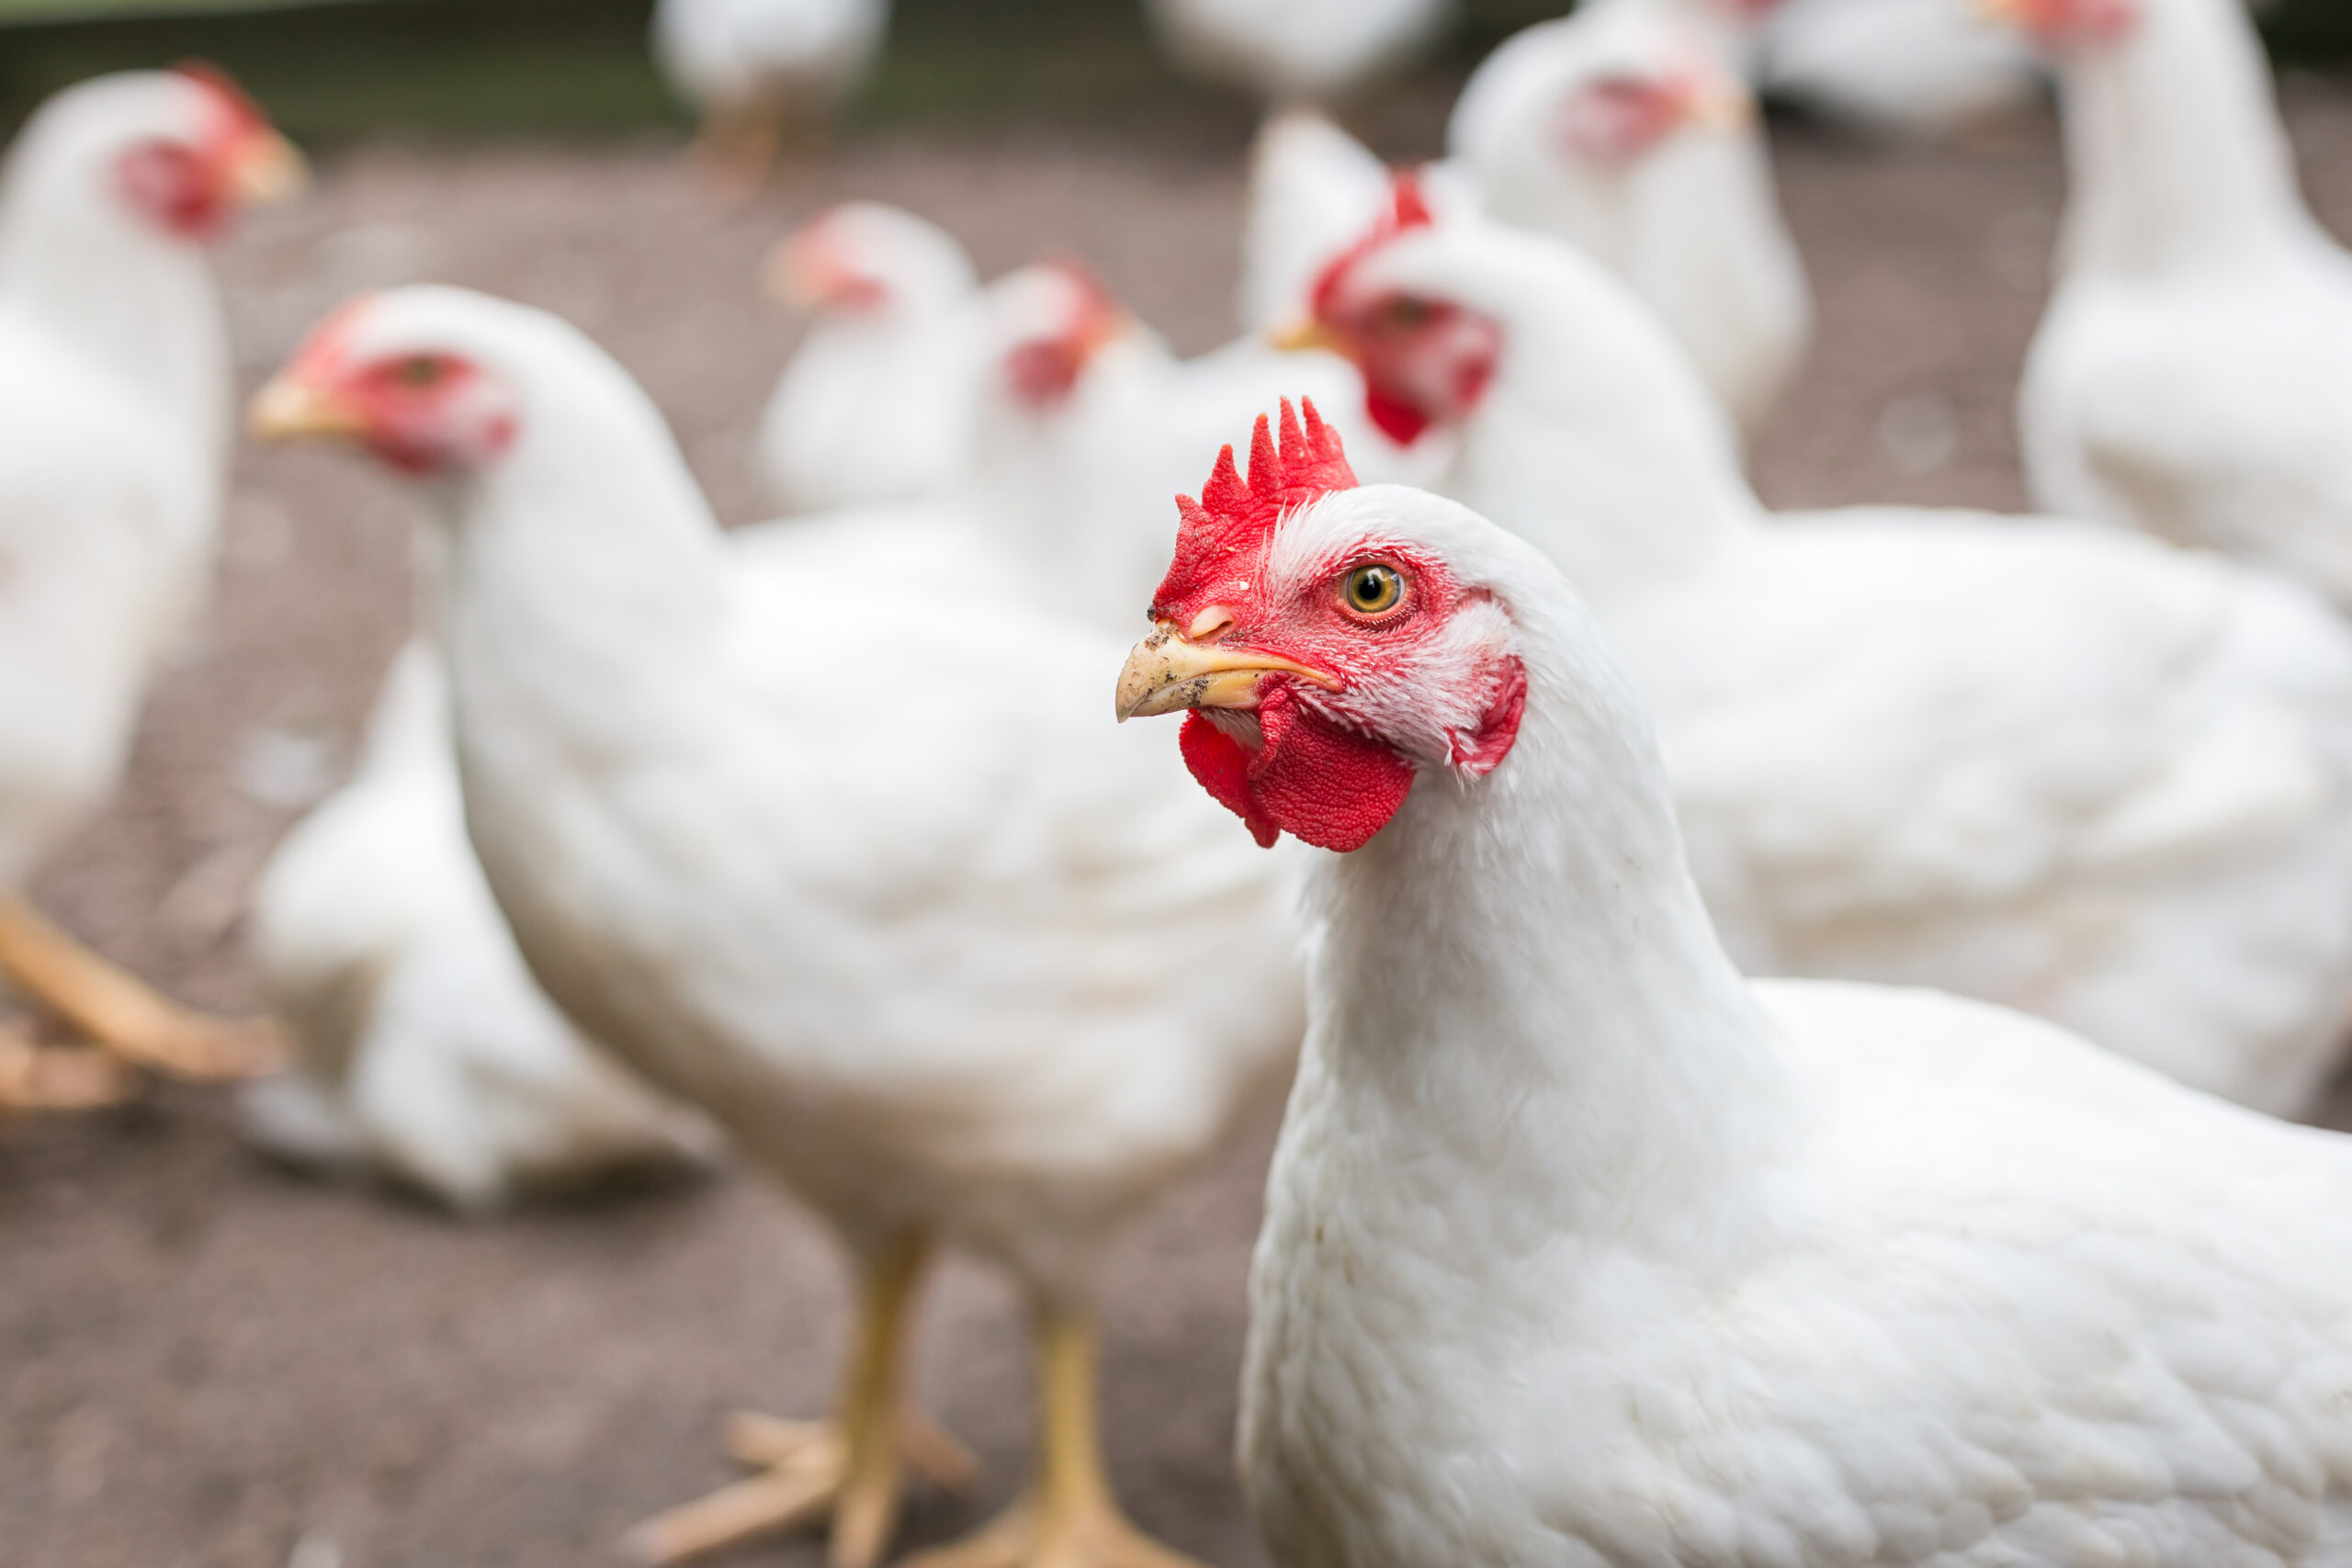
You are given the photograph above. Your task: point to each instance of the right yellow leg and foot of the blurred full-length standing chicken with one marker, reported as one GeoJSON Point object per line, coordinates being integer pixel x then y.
{"type": "Point", "coordinates": [1069, 1517]}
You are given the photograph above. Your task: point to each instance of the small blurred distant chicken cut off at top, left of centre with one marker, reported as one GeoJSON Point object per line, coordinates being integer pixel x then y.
{"type": "Point", "coordinates": [761, 72]}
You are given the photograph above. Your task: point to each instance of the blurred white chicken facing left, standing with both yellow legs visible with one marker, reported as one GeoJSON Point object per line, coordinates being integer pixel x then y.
{"type": "Point", "coordinates": [909, 951]}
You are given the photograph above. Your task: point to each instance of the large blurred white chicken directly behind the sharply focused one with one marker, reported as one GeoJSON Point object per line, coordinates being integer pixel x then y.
{"type": "Point", "coordinates": [2050, 765]}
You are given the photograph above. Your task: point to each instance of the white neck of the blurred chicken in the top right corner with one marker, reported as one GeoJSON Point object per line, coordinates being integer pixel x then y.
{"type": "Point", "coordinates": [2174, 145]}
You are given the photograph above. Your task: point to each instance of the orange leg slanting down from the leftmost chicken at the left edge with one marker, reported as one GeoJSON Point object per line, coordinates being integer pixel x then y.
{"type": "Point", "coordinates": [123, 1014]}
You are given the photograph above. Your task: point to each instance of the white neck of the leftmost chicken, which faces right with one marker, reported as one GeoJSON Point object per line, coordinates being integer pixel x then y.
{"type": "Point", "coordinates": [95, 274]}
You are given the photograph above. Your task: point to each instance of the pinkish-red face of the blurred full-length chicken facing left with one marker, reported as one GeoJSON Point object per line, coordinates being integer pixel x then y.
{"type": "Point", "coordinates": [420, 413]}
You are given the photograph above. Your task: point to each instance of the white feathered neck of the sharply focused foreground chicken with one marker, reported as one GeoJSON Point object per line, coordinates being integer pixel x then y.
{"type": "Point", "coordinates": [1518, 996]}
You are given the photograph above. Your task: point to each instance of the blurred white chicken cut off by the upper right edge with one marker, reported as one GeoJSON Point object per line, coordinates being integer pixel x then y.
{"type": "Point", "coordinates": [2193, 373]}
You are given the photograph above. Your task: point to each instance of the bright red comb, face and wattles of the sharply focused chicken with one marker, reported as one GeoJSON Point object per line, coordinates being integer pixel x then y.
{"type": "Point", "coordinates": [1318, 765]}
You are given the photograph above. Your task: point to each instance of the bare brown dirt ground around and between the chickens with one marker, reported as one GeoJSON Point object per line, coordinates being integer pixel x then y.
{"type": "Point", "coordinates": [215, 1365]}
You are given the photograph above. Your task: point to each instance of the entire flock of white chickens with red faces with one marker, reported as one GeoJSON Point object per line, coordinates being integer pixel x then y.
{"type": "Point", "coordinates": [1782, 1014]}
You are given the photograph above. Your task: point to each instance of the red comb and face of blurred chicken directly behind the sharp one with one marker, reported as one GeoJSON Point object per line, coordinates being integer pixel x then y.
{"type": "Point", "coordinates": [1424, 361]}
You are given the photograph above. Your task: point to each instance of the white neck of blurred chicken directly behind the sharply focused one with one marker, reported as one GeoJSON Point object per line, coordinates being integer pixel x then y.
{"type": "Point", "coordinates": [1596, 441]}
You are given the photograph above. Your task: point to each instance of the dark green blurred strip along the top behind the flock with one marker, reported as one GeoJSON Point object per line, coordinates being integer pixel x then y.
{"type": "Point", "coordinates": [338, 69]}
